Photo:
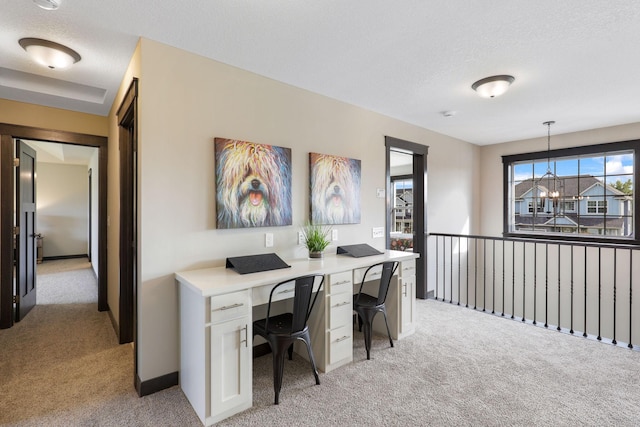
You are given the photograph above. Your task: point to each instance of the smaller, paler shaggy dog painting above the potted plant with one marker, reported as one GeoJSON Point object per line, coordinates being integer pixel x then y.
{"type": "Point", "coordinates": [335, 189]}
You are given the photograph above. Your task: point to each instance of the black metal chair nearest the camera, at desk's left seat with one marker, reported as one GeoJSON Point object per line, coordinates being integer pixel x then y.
{"type": "Point", "coordinates": [282, 330]}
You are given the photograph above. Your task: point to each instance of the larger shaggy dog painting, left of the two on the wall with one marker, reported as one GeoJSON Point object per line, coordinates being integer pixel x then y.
{"type": "Point", "coordinates": [253, 184]}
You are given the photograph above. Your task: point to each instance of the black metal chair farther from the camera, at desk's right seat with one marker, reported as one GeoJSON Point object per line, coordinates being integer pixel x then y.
{"type": "Point", "coordinates": [367, 306]}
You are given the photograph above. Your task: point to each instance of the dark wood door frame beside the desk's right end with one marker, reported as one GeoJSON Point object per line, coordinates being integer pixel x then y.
{"type": "Point", "coordinates": [419, 202]}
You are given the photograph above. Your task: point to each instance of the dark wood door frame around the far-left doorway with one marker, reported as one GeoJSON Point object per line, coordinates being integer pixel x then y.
{"type": "Point", "coordinates": [8, 133]}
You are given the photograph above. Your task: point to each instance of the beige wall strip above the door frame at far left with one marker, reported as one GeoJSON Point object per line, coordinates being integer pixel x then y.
{"type": "Point", "coordinates": [20, 113]}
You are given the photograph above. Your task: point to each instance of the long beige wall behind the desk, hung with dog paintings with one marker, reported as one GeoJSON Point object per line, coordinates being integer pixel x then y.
{"type": "Point", "coordinates": [185, 102]}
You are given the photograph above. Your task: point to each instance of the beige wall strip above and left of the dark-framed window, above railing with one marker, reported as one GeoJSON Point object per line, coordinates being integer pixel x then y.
{"type": "Point", "coordinates": [491, 161]}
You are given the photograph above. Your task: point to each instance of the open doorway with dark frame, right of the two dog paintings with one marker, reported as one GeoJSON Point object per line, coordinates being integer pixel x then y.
{"type": "Point", "coordinates": [406, 203]}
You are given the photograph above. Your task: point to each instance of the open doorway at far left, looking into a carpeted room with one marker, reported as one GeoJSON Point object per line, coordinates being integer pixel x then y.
{"type": "Point", "coordinates": [65, 227]}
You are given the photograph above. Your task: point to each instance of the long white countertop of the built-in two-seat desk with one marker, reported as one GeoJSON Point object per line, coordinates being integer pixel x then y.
{"type": "Point", "coordinates": [221, 280]}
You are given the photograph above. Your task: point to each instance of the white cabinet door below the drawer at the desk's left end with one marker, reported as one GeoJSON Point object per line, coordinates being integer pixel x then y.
{"type": "Point", "coordinates": [231, 365]}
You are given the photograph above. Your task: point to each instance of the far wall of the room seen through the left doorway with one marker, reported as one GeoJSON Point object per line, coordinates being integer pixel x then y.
{"type": "Point", "coordinates": [62, 201]}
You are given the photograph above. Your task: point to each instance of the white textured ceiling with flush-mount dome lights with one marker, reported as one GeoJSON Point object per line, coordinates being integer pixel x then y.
{"type": "Point", "coordinates": [574, 61]}
